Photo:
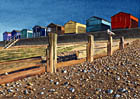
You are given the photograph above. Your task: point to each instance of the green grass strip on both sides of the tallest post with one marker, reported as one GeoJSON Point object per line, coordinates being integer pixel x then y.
{"type": "Point", "coordinates": [20, 53]}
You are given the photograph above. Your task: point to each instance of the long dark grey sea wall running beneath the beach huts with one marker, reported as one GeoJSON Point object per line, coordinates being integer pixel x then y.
{"type": "Point", "coordinates": [69, 38]}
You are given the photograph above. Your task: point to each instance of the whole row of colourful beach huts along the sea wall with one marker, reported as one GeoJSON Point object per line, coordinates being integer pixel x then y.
{"type": "Point", "coordinates": [119, 21]}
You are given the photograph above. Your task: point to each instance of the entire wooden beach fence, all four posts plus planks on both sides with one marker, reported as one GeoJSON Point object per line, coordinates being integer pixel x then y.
{"type": "Point", "coordinates": [36, 67]}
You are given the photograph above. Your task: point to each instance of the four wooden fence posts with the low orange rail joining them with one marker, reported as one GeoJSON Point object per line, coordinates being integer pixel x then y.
{"type": "Point", "coordinates": [51, 55]}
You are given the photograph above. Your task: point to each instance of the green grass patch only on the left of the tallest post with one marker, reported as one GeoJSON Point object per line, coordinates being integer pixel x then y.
{"type": "Point", "coordinates": [14, 54]}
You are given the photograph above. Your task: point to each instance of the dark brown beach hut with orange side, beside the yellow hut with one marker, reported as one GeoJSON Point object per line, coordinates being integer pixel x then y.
{"type": "Point", "coordinates": [55, 28]}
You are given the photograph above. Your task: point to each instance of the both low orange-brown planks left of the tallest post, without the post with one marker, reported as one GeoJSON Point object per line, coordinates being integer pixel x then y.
{"type": "Point", "coordinates": [20, 69]}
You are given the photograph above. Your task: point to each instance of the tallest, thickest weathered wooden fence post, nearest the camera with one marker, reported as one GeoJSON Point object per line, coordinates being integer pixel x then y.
{"type": "Point", "coordinates": [52, 53]}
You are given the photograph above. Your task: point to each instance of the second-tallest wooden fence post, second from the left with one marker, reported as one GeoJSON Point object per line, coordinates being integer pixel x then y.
{"type": "Point", "coordinates": [90, 49]}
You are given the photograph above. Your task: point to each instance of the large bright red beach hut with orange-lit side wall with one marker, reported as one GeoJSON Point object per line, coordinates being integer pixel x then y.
{"type": "Point", "coordinates": [123, 20]}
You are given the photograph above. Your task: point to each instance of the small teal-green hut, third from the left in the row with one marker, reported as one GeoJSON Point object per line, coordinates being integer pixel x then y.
{"type": "Point", "coordinates": [25, 33]}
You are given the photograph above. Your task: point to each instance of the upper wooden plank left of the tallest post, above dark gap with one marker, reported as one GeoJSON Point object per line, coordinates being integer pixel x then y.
{"type": "Point", "coordinates": [19, 64]}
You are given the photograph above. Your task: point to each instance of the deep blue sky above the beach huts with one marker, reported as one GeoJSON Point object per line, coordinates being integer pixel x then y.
{"type": "Point", "coordinates": [24, 14]}
